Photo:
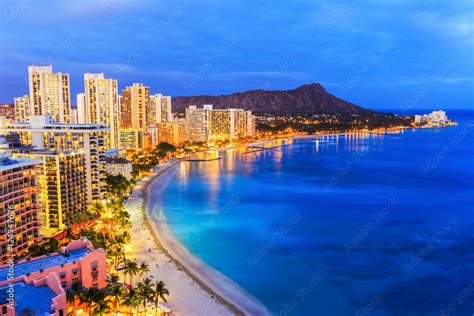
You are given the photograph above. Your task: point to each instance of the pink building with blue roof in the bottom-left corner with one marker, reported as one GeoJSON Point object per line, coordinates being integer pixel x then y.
{"type": "Point", "coordinates": [39, 284]}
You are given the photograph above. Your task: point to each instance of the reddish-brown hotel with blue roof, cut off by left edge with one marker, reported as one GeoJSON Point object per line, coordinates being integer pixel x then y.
{"type": "Point", "coordinates": [19, 205]}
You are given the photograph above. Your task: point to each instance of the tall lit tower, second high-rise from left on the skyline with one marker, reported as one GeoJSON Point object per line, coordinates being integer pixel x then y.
{"type": "Point", "coordinates": [101, 105]}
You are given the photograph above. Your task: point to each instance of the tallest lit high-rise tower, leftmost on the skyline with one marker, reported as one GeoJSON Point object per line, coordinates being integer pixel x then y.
{"type": "Point", "coordinates": [49, 93]}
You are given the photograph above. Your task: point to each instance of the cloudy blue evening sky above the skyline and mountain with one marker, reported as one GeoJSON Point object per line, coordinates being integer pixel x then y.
{"type": "Point", "coordinates": [386, 54]}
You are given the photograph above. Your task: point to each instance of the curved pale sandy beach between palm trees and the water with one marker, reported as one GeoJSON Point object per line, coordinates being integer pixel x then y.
{"type": "Point", "coordinates": [195, 288]}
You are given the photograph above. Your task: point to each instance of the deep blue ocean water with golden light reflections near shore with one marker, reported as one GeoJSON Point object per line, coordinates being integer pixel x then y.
{"type": "Point", "coordinates": [361, 225]}
